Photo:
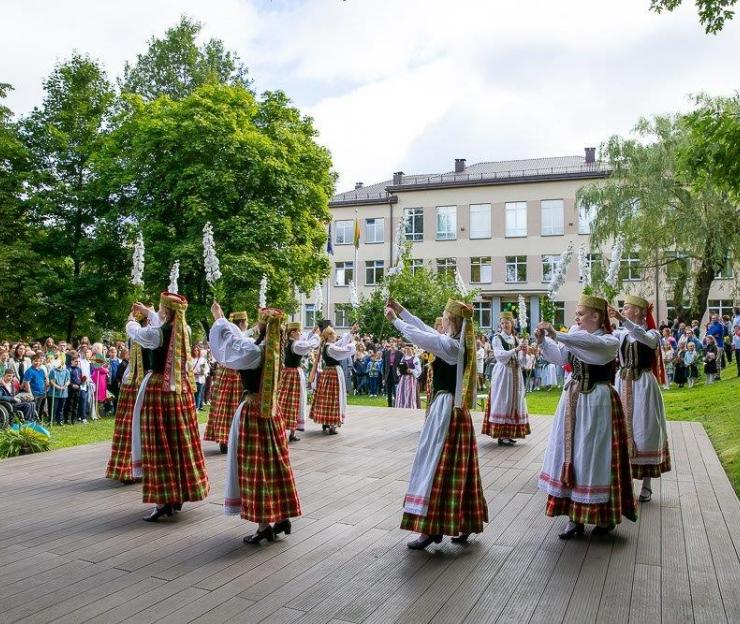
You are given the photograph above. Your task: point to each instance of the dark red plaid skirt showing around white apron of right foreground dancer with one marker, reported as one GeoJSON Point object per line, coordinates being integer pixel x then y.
{"type": "Point", "coordinates": [621, 497]}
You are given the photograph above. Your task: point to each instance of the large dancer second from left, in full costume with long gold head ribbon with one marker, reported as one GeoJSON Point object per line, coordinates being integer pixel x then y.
{"type": "Point", "coordinates": [165, 441]}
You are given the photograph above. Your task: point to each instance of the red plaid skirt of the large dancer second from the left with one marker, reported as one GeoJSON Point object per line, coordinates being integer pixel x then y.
{"type": "Point", "coordinates": [172, 457]}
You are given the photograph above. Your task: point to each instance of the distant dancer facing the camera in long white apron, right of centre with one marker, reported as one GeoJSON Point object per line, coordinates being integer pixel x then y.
{"type": "Point", "coordinates": [506, 414]}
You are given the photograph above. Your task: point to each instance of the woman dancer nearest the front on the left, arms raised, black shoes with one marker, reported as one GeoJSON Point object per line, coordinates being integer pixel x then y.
{"type": "Point", "coordinates": [259, 480]}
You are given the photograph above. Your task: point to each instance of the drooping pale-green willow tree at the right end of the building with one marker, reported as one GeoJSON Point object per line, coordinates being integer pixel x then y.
{"type": "Point", "coordinates": [650, 202]}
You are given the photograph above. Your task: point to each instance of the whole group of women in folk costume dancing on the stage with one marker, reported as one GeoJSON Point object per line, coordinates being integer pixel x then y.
{"type": "Point", "coordinates": [601, 438]}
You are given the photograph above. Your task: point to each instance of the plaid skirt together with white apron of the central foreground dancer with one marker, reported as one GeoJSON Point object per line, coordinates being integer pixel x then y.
{"type": "Point", "coordinates": [455, 503]}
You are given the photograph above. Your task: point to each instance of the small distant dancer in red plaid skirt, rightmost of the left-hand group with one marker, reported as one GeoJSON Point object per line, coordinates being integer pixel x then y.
{"type": "Point", "coordinates": [329, 405]}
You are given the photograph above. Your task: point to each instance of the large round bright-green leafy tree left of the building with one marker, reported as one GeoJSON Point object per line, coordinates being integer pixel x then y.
{"type": "Point", "coordinates": [249, 166]}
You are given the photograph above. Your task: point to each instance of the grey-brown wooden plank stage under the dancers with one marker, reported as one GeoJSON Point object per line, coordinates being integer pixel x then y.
{"type": "Point", "coordinates": [73, 547]}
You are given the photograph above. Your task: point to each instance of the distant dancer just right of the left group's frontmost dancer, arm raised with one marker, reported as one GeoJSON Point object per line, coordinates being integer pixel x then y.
{"type": "Point", "coordinates": [292, 395]}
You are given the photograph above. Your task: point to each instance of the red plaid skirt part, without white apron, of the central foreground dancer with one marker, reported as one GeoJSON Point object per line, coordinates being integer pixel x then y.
{"type": "Point", "coordinates": [456, 502]}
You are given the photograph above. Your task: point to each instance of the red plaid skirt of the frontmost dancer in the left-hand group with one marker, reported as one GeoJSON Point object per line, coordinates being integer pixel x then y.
{"type": "Point", "coordinates": [268, 490]}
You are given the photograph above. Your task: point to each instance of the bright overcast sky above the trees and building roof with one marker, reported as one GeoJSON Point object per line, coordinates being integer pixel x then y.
{"type": "Point", "coordinates": [412, 84]}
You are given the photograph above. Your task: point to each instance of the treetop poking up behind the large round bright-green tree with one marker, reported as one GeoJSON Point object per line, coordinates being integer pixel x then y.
{"type": "Point", "coordinates": [175, 65]}
